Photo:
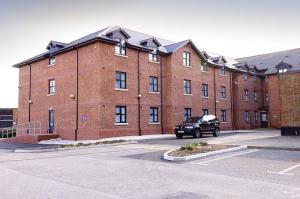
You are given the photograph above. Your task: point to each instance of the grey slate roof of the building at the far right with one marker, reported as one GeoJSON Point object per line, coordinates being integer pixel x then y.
{"type": "Point", "coordinates": [268, 62]}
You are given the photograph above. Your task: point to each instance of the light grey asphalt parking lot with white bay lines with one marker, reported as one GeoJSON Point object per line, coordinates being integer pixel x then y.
{"type": "Point", "coordinates": [137, 171]}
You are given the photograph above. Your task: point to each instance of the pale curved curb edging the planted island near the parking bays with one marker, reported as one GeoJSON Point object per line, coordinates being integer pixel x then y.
{"type": "Point", "coordinates": [201, 155]}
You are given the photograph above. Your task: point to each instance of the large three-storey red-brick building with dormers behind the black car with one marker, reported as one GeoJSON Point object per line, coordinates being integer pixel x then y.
{"type": "Point", "coordinates": [118, 82]}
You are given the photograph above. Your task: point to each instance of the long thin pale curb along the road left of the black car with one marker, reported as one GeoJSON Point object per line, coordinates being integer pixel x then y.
{"type": "Point", "coordinates": [61, 148]}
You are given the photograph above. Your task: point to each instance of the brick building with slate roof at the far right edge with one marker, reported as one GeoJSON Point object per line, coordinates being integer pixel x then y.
{"type": "Point", "coordinates": [280, 72]}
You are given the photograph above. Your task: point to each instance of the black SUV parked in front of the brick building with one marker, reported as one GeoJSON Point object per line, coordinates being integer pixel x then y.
{"type": "Point", "coordinates": [197, 126]}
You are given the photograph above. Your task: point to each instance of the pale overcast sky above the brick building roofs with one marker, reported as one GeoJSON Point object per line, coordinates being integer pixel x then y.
{"type": "Point", "coordinates": [229, 27]}
